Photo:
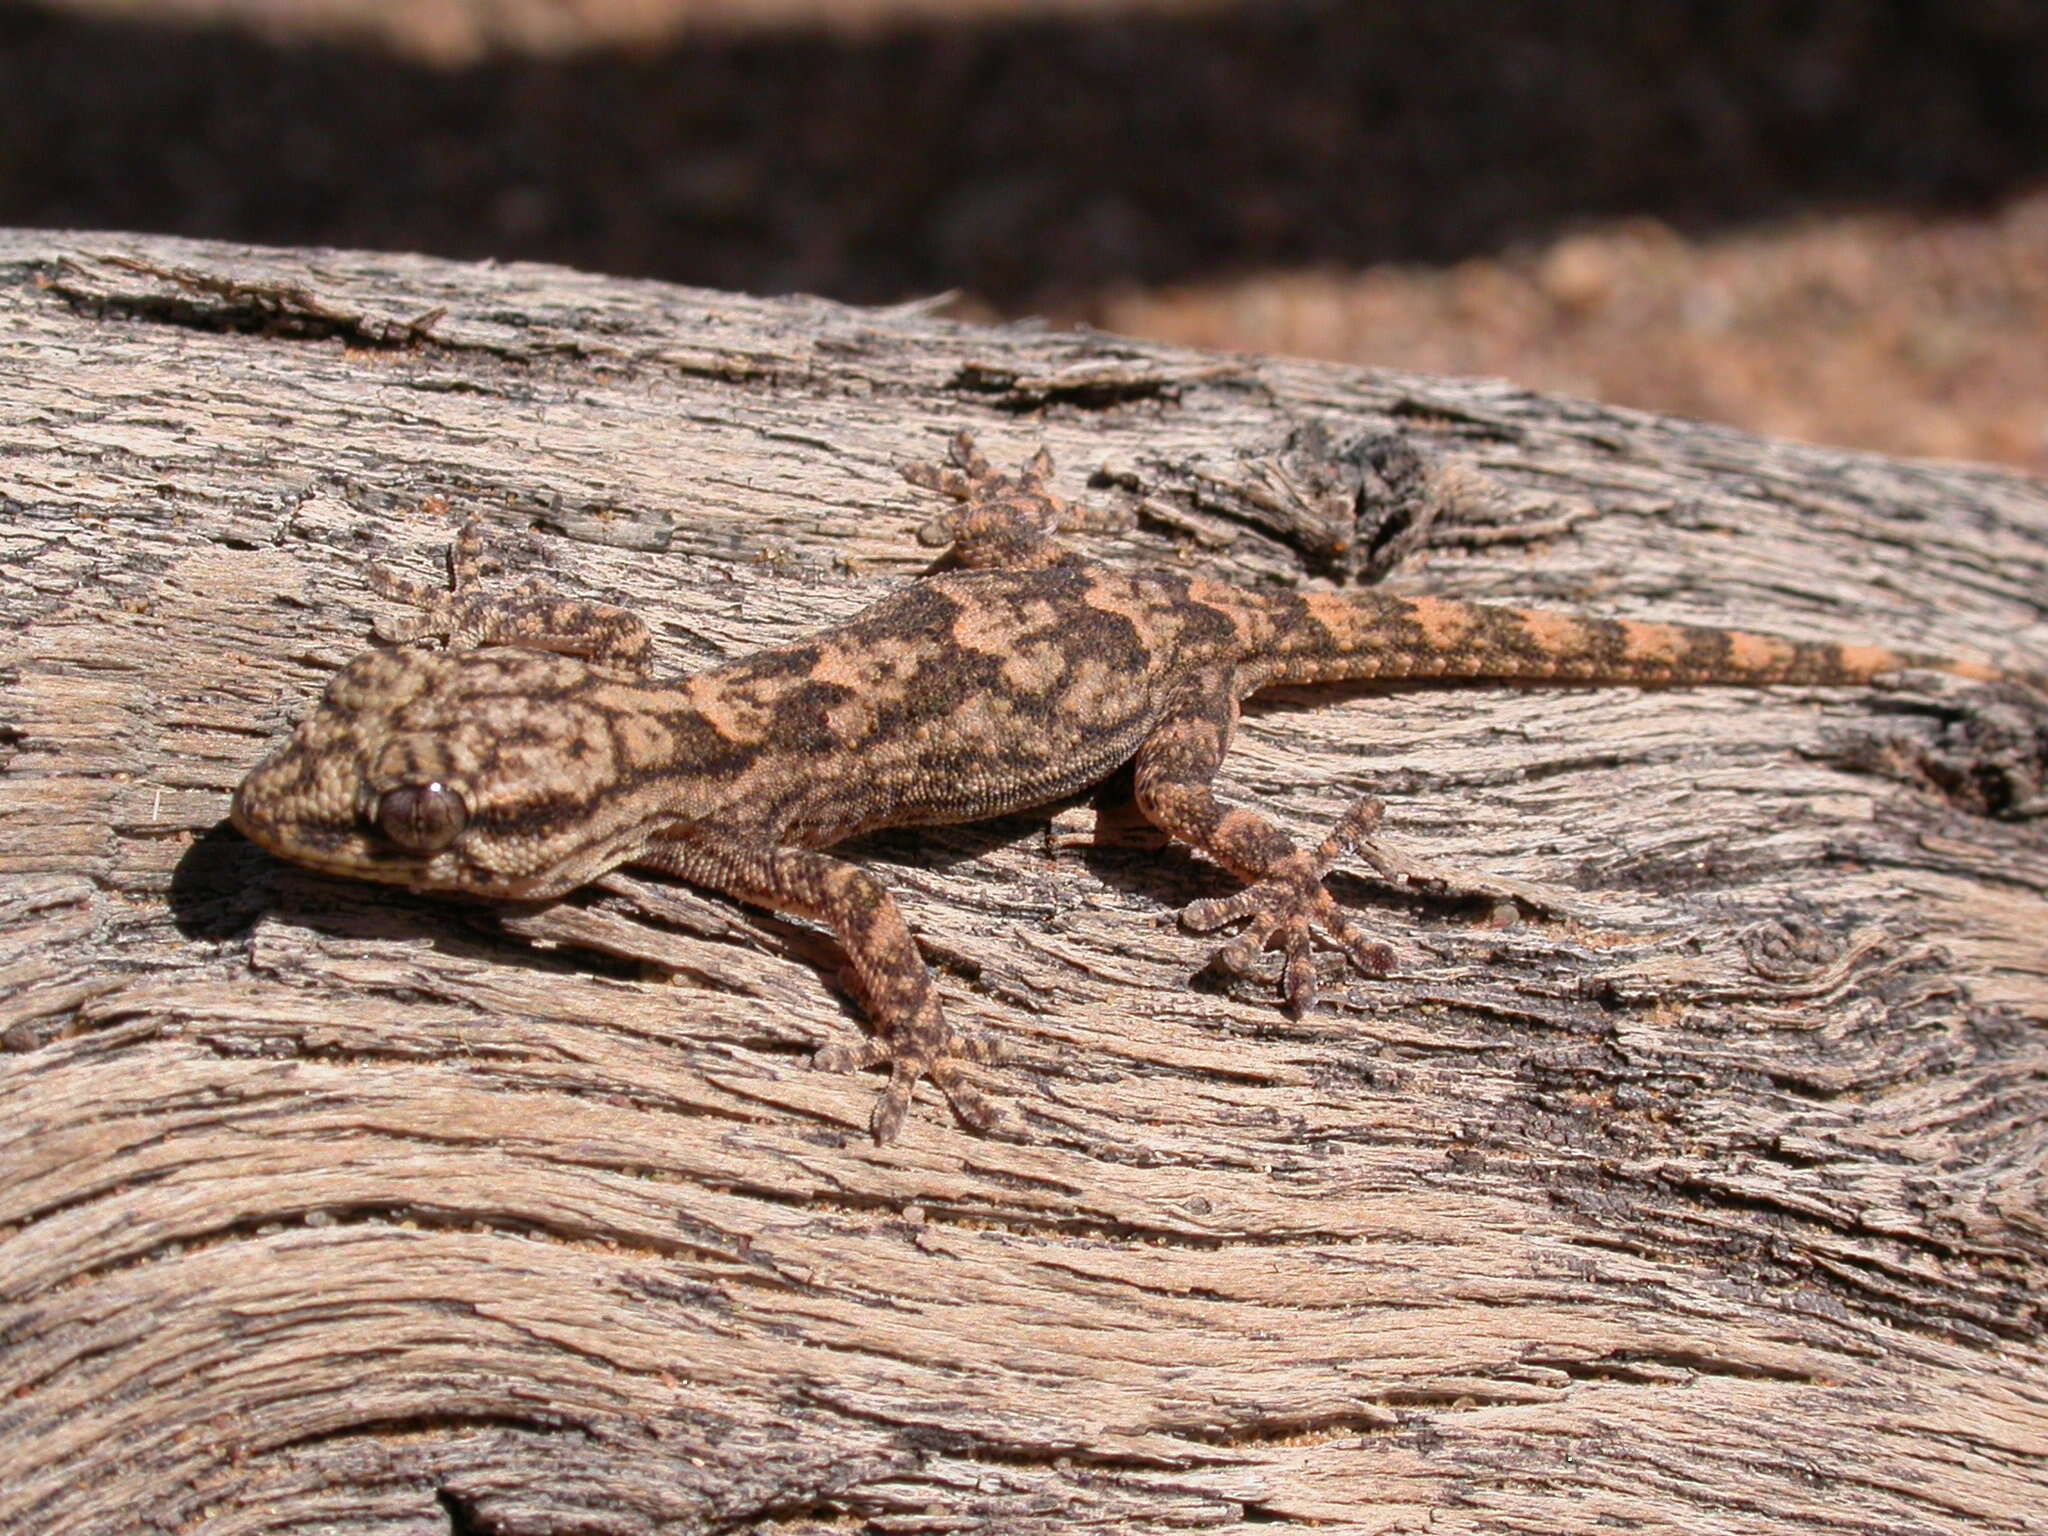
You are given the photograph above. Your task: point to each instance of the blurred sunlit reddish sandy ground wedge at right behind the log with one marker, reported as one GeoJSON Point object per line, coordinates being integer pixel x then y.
{"type": "Point", "coordinates": [1920, 337]}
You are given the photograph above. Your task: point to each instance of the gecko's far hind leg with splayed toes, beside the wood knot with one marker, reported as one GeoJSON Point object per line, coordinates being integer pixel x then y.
{"type": "Point", "coordinates": [1002, 521]}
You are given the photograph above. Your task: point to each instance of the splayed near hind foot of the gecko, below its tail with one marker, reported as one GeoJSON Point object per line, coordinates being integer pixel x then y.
{"type": "Point", "coordinates": [1285, 908]}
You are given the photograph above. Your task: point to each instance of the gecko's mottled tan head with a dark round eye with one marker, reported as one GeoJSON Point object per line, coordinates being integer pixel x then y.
{"type": "Point", "coordinates": [495, 773]}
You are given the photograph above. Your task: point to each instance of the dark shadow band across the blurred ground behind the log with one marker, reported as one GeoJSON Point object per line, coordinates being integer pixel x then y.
{"type": "Point", "coordinates": [1031, 163]}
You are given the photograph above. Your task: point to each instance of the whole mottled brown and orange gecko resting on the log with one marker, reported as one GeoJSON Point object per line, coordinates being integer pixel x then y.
{"type": "Point", "coordinates": [519, 744]}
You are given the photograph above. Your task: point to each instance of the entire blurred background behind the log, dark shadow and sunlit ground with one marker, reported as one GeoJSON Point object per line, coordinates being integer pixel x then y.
{"type": "Point", "coordinates": [1818, 218]}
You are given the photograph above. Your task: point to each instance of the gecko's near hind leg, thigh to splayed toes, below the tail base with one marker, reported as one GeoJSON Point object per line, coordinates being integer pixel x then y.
{"type": "Point", "coordinates": [1283, 902]}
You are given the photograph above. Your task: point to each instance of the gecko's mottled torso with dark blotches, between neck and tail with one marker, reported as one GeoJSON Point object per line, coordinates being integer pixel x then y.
{"type": "Point", "coordinates": [959, 697]}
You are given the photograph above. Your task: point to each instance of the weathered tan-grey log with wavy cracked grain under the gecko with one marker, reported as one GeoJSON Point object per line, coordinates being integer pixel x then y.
{"type": "Point", "coordinates": [1705, 1201]}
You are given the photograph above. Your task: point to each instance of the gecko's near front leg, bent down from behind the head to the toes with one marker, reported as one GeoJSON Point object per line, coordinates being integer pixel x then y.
{"type": "Point", "coordinates": [890, 978]}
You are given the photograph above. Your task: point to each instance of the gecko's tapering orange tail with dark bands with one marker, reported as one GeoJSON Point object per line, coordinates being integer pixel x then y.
{"type": "Point", "coordinates": [1340, 638]}
